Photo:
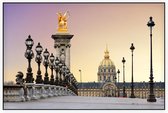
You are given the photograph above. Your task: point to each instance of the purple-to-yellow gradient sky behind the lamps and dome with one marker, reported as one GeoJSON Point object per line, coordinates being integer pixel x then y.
{"type": "Point", "coordinates": [94, 26]}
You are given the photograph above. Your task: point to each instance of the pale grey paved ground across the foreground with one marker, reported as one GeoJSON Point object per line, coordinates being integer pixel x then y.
{"type": "Point", "coordinates": [78, 102]}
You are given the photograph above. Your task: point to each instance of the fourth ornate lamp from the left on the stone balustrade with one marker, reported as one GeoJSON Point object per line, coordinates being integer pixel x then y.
{"type": "Point", "coordinates": [52, 67]}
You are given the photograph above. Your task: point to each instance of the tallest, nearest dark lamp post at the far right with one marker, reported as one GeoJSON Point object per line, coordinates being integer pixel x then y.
{"type": "Point", "coordinates": [151, 97]}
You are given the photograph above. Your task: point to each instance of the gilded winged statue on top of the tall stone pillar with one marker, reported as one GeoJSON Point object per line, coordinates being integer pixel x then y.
{"type": "Point", "coordinates": [62, 21]}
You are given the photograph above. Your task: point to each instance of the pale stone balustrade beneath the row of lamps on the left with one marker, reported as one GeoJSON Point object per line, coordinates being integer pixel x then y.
{"type": "Point", "coordinates": [31, 91]}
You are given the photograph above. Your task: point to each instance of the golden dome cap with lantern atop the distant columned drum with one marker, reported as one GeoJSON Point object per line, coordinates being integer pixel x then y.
{"type": "Point", "coordinates": [106, 62]}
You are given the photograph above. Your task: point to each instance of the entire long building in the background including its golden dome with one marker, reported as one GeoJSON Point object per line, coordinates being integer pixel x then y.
{"type": "Point", "coordinates": [107, 86]}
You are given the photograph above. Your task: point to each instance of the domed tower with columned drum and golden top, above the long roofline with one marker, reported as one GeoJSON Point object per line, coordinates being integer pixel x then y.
{"type": "Point", "coordinates": [106, 69]}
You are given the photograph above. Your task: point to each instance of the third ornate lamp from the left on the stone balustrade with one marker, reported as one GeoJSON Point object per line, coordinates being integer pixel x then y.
{"type": "Point", "coordinates": [46, 63]}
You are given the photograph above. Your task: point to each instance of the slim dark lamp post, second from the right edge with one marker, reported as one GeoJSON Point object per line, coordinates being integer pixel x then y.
{"type": "Point", "coordinates": [132, 79]}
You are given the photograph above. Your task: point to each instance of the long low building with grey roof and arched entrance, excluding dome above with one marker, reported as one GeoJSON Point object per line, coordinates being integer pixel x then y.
{"type": "Point", "coordinates": [141, 89]}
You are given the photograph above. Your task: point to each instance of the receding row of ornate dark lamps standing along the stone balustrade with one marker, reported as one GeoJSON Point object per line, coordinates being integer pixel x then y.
{"type": "Point", "coordinates": [63, 76]}
